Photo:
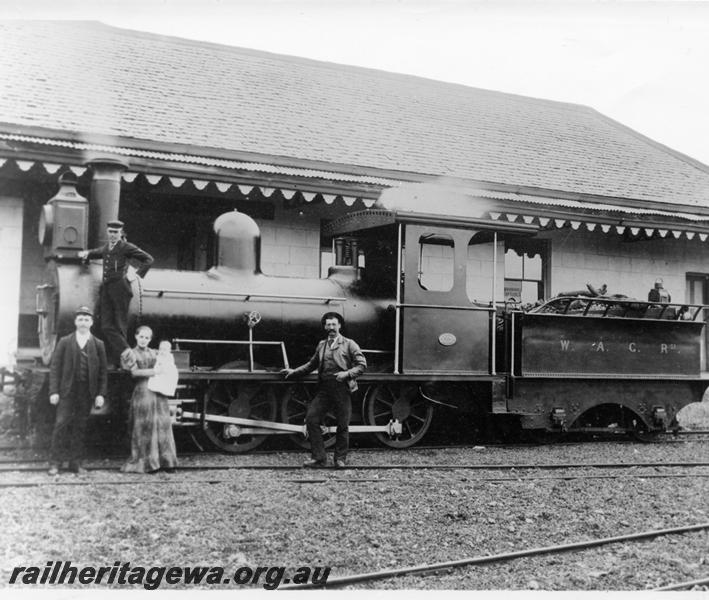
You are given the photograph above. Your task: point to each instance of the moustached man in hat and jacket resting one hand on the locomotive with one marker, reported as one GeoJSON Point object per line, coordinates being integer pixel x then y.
{"type": "Point", "coordinates": [339, 362]}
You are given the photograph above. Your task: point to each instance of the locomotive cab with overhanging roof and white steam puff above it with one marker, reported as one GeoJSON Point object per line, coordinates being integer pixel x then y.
{"type": "Point", "coordinates": [436, 267]}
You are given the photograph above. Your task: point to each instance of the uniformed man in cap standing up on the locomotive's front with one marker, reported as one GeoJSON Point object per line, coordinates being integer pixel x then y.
{"type": "Point", "coordinates": [115, 294]}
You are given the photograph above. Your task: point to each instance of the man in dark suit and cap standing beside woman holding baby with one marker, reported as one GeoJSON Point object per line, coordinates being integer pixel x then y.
{"type": "Point", "coordinates": [77, 379]}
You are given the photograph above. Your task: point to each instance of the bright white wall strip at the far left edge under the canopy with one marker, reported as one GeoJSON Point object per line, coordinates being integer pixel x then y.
{"type": "Point", "coordinates": [11, 210]}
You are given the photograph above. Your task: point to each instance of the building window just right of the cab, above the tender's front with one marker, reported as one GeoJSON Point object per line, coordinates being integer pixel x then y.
{"type": "Point", "coordinates": [526, 270]}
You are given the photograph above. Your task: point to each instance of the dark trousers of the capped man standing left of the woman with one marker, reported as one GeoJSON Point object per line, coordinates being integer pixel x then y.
{"type": "Point", "coordinates": [70, 425]}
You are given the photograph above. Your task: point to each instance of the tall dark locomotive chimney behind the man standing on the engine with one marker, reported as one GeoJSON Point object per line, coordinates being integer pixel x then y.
{"type": "Point", "coordinates": [105, 197]}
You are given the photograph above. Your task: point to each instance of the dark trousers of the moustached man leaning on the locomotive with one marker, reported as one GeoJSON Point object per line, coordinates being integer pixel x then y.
{"type": "Point", "coordinates": [334, 396]}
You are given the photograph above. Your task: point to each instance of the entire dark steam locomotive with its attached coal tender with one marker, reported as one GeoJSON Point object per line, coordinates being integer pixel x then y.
{"type": "Point", "coordinates": [573, 364]}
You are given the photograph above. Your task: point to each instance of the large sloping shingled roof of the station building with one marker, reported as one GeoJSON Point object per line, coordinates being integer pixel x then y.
{"type": "Point", "coordinates": [91, 79]}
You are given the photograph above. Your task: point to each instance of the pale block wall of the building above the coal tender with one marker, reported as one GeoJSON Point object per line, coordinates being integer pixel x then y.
{"type": "Point", "coordinates": [628, 268]}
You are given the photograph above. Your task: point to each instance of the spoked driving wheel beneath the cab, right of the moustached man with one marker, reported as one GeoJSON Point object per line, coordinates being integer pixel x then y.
{"type": "Point", "coordinates": [388, 402]}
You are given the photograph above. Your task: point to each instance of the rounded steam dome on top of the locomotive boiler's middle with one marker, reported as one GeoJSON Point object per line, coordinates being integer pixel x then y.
{"type": "Point", "coordinates": [239, 242]}
